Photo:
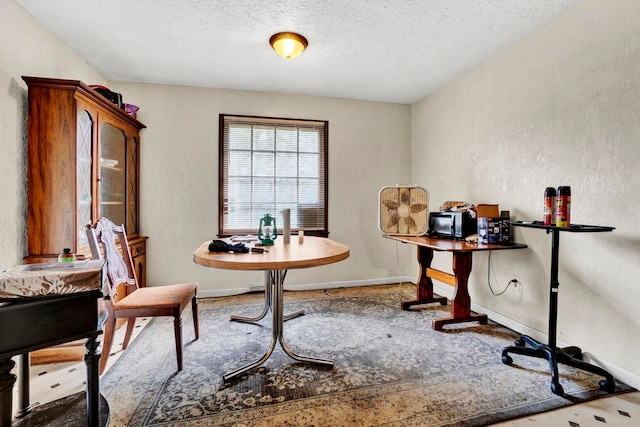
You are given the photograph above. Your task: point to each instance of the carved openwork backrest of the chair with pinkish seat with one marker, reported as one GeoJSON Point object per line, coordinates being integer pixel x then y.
{"type": "Point", "coordinates": [110, 239]}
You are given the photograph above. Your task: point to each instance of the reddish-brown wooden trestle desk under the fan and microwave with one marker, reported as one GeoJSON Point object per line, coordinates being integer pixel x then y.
{"type": "Point", "coordinates": [462, 262]}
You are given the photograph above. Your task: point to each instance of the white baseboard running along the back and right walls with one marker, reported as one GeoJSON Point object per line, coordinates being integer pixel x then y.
{"type": "Point", "coordinates": [623, 375]}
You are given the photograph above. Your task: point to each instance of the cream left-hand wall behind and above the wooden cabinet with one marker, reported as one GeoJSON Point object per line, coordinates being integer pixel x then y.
{"type": "Point", "coordinates": [26, 48]}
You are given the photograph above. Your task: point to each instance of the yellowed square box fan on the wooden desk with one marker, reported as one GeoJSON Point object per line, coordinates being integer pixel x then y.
{"type": "Point", "coordinates": [403, 210]}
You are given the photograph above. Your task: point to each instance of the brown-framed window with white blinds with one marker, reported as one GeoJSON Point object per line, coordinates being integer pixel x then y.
{"type": "Point", "coordinates": [267, 165]}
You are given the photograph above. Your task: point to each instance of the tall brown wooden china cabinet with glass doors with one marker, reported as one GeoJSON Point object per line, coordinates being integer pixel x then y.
{"type": "Point", "coordinates": [83, 163]}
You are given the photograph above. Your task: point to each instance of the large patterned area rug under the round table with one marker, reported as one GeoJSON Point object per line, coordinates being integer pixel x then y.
{"type": "Point", "coordinates": [390, 369]}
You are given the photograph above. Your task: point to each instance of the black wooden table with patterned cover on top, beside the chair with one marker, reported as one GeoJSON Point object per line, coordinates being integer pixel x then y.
{"type": "Point", "coordinates": [38, 319]}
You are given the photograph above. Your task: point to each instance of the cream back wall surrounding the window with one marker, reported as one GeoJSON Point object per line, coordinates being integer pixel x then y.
{"type": "Point", "coordinates": [369, 147]}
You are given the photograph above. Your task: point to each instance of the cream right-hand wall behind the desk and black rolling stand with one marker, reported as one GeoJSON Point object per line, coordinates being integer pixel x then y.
{"type": "Point", "coordinates": [562, 107]}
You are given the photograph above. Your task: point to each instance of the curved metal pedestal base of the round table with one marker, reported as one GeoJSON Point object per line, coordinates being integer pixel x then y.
{"type": "Point", "coordinates": [275, 281]}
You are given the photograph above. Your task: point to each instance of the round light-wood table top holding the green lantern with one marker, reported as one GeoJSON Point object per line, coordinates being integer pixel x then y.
{"type": "Point", "coordinates": [314, 251]}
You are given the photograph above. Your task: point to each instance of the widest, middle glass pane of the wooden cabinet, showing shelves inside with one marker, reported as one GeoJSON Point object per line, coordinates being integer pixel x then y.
{"type": "Point", "coordinates": [112, 173]}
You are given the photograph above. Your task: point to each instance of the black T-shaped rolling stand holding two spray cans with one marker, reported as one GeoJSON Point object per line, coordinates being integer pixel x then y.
{"type": "Point", "coordinates": [571, 356]}
